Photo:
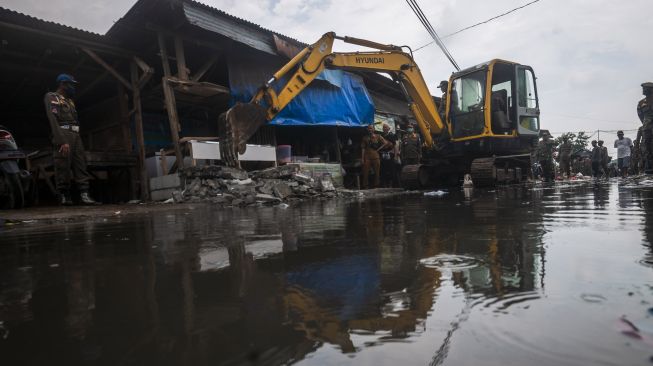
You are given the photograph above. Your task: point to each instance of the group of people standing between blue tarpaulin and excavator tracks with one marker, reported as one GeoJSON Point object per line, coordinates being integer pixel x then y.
{"type": "Point", "coordinates": [385, 154]}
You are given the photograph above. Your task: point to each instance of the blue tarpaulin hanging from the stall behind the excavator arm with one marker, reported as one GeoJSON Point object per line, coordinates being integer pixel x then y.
{"type": "Point", "coordinates": [335, 98]}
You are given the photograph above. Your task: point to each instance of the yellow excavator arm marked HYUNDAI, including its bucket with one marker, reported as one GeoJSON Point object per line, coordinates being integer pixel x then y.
{"type": "Point", "coordinates": [238, 124]}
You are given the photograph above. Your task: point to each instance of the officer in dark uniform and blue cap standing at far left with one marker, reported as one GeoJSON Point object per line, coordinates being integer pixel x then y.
{"type": "Point", "coordinates": [69, 158]}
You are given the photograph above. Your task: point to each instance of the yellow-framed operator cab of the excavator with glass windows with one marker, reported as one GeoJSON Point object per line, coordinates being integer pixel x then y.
{"type": "Point", "coordinates": [494, 99]}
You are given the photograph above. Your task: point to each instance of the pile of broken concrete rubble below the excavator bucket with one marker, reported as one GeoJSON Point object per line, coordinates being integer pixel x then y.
{"type": "Point", "coordinates": [234, 187]}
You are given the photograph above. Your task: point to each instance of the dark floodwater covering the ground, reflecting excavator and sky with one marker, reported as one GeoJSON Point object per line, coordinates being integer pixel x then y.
{"type": "Point", "coordinates": [530, 275]}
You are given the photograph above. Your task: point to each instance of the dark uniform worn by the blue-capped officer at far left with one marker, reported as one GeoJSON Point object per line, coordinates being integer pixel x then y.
{"type": "Point", "coordinates": [62, 115]}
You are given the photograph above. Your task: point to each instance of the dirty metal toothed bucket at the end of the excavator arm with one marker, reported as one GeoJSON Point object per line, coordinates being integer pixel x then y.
{"type": "Point", "coordinates": [235, 127]}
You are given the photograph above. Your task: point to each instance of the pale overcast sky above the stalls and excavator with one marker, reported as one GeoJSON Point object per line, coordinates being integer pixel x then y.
{"type": "Point", "coordinates": [590, 56]}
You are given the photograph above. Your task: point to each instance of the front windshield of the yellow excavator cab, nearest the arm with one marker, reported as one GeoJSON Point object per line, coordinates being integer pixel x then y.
{"type": "Point", "coordinates": [467, 104]}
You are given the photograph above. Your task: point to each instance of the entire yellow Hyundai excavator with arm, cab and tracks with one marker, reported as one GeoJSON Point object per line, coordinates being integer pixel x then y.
{"type": "Point", "coordinates": [490, 124]}
